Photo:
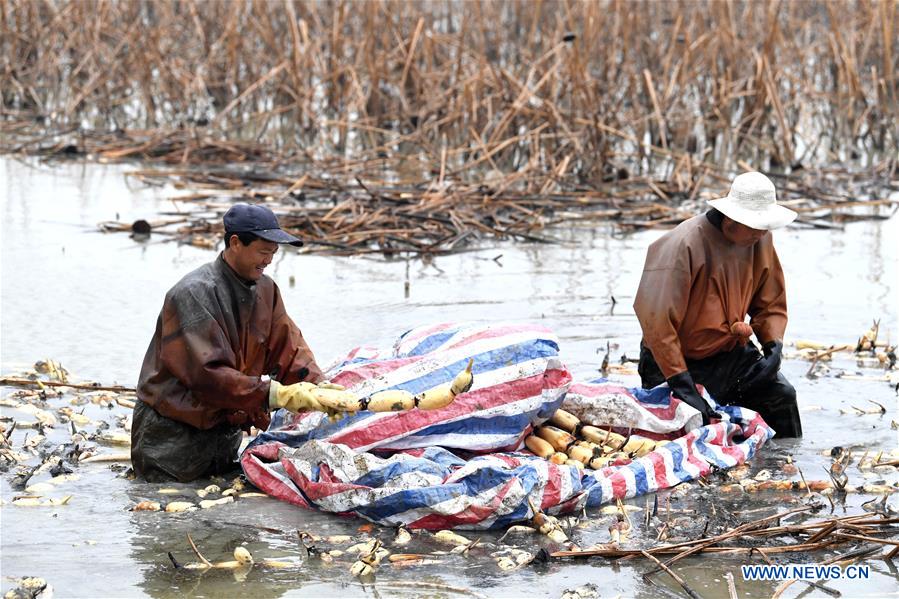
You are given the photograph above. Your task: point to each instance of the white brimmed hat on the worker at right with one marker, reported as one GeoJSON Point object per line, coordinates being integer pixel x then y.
{"type": "Point", "coordinates": [752, 201]}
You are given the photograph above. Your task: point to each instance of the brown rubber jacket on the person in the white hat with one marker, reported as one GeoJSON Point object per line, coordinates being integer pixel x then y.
{"type": "Point", "coordinates": [696, 284]}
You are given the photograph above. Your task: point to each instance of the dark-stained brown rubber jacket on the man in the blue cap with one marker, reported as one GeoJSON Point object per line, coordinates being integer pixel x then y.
{"type": "Point", "coordinates": [215, 337]}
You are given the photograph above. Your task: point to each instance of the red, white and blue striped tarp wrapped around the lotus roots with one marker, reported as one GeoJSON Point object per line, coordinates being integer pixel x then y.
{"type": "Point", "coordinates": [458, 467]}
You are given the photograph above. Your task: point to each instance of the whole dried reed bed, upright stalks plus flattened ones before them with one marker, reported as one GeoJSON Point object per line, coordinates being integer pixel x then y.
{"type": "Point", "coordinates": [464, 118]}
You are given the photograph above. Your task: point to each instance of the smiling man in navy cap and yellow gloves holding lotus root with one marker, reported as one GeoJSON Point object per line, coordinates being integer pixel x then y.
{"type": "Point", "coordinates": [224, 354]}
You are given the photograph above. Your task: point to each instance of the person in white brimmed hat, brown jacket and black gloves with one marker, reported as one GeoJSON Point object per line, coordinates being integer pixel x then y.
{"type": "Point", "coordinates": [699, 283]}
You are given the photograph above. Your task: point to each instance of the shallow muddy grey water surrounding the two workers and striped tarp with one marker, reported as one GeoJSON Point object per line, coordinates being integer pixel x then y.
{"type": "Point", "coordinates": [90, 300]}
